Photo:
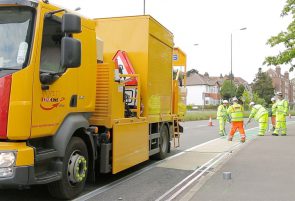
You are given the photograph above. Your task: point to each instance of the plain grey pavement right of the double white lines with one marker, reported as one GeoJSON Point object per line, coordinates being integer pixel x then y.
{"type": "Point", "coordinates": [261, 170]}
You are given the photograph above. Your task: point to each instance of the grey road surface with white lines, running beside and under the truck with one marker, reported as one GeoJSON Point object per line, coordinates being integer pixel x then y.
{"type": "Point", "coordinates": [201, 147]}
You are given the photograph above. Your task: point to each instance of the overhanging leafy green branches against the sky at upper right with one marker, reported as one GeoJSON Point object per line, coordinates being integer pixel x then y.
{"type": "Point", "coordinates": [286, 38]}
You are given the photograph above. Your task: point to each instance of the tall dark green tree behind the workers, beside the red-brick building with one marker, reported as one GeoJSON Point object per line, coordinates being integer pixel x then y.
{"type": "Point", "coordinates": [262, 86]}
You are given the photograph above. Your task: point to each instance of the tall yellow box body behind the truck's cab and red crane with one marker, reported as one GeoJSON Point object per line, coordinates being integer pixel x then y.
{"type": "Point", "coordinates": [149, 47]}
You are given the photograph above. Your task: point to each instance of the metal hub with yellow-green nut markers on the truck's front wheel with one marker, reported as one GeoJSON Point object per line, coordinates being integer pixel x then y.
{"type": "Point", "coordinates": [77, 168]}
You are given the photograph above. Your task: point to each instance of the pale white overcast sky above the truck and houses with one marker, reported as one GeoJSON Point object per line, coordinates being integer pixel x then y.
{"type": "Point", "coordinates": [209, 24]}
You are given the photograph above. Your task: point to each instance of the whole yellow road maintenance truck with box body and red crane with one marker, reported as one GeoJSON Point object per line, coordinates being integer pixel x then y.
{"type": "Point", "coordinates": [68, 109]}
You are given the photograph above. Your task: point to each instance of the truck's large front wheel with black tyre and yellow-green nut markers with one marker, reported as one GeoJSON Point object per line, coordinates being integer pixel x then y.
{"type": "Point", "coordinates": [74, 172]}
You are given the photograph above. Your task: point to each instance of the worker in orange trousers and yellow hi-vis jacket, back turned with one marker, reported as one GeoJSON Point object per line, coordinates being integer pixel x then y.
{"type": "Point", "coordinates": [236, 112]}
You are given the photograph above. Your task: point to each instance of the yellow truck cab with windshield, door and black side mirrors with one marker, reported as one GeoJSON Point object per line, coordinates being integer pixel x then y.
{"type": "Point", "coordinates": [45, 89]}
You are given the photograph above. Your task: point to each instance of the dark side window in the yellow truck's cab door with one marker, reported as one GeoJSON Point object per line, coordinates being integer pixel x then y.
{"type": "Point", "coordinates": [51, 46]}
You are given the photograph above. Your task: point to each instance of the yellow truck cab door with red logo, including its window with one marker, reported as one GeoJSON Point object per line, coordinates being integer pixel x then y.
{"type": "Point", "coordinates": [54, 88]}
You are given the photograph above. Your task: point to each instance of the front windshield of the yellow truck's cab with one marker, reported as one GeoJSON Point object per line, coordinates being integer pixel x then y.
{"type": "Point", "coordinates": [16, 30]}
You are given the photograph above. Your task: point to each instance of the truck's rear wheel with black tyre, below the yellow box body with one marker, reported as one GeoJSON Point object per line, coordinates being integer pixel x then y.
{"type": "Point", "coordinates": [163, 144]}
